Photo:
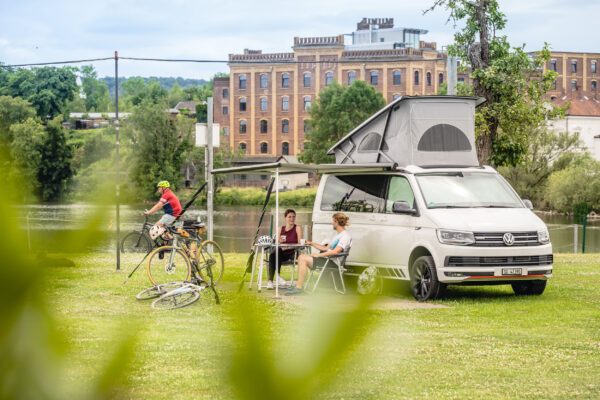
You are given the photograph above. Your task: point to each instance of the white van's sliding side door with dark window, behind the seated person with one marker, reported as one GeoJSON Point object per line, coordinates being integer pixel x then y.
{"type": "Point", "coordinates": [361, 197]}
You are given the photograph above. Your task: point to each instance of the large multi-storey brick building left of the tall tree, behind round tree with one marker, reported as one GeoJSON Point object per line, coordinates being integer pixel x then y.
{"type": "Point", "coordinates": [263, 106]}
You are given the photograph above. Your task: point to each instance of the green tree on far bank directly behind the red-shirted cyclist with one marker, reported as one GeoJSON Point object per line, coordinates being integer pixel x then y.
{"type": "Point", "coordinates": [159, 145]}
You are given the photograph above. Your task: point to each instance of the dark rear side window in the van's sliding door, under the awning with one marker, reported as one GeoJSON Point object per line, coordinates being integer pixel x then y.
{"type": "Point", "coordinates": [356, 193]}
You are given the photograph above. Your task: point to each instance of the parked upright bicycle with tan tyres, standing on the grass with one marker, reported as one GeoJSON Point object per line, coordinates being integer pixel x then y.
{"type": "Point", "coordinates": [188, 260]}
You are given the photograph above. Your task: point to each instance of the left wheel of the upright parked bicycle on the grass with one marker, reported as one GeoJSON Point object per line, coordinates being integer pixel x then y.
{"type": "Point", "coordinates": [168, 264]}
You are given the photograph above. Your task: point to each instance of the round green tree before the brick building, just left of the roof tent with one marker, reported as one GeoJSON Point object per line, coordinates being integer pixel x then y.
{"type": "Point", "coordinates": [337, 111]}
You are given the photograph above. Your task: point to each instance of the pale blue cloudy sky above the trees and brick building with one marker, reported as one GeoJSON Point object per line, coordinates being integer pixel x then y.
{"type": "Point", "coordinates": [41, 31]}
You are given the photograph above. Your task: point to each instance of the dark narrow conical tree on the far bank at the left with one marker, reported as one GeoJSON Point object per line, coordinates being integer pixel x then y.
{"type": "Point", "coordinates": [55, 169]}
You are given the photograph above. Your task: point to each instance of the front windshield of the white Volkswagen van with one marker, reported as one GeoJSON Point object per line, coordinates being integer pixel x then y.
{"type": "Point", "coordinates": [467, 190]}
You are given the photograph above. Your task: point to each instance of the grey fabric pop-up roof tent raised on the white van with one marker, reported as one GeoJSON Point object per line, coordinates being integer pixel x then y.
{"type": "Point", "coordinates": [425, 131]}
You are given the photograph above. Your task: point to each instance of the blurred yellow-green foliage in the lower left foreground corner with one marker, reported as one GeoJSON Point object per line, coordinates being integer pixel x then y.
{"type": "Point", "coordinates": [33, 349]}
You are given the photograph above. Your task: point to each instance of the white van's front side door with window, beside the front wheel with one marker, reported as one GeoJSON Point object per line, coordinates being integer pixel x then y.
{"type": "Point", "coordinates": [396, 232]}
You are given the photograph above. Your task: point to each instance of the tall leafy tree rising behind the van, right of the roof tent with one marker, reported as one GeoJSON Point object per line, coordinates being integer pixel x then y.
{"type": "Point", "coordinates": [509, 79]}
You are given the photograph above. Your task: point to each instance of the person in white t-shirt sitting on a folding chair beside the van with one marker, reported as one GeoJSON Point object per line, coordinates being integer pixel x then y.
{"type": "Point", "coordinates": [339, 243]}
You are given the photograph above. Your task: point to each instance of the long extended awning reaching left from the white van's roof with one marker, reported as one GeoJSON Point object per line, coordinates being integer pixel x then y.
{"type": "Point", "coordinates": [287, 168]}
